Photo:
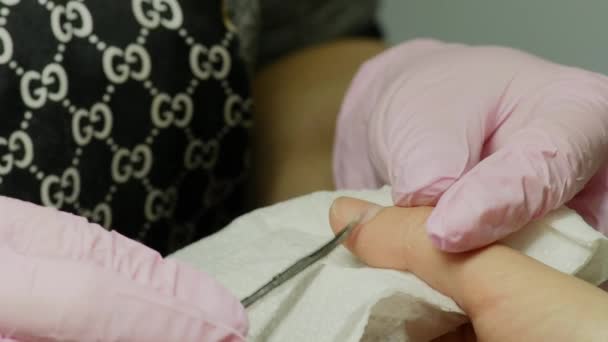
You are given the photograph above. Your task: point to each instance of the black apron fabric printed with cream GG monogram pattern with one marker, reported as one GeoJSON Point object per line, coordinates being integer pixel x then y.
{"type": "Point", "coordinates": [132, 113]}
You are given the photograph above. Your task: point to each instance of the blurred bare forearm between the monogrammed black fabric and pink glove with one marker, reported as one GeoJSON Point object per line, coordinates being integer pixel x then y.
{"type": "Point", "coordinates": [297, 100]}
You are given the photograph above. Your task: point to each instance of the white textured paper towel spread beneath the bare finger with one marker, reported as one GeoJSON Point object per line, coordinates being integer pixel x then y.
{"type": "Point", "coordinates": [340, 299]}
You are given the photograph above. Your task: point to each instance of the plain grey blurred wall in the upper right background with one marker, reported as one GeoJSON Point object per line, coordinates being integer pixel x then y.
{"type": "Point", "coordinates": [573, 32]}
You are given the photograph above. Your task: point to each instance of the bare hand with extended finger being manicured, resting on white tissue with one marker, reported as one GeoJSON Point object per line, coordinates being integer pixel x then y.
{"type": "Point", "coordinates": [507, 295]}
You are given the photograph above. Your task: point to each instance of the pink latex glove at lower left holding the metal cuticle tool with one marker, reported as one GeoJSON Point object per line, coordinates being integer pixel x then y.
{"type": "Point", "coordinates": [63, 279]}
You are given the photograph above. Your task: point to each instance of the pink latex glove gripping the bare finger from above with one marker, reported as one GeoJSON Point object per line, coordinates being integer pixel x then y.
{"type": "Point", "coordinates": [493, 137]}
